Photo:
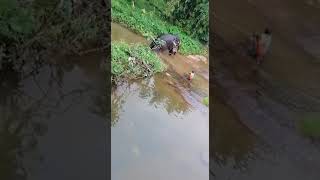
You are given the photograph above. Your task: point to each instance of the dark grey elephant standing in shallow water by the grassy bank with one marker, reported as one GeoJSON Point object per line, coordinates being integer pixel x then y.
{"type": "Point", "coordinates": [166, 42]}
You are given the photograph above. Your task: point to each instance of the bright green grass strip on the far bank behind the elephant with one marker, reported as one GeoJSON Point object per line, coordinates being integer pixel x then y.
{"type": "Point", "coordinates": [150, 25]}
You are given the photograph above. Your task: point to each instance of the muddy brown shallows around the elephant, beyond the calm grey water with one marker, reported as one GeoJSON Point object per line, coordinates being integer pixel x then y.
{"type": "Point", "coordinates": [178, 68]}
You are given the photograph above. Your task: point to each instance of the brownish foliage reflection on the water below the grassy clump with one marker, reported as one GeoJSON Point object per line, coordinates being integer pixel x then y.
{"type": "Point", "coordinates": [156, 90]}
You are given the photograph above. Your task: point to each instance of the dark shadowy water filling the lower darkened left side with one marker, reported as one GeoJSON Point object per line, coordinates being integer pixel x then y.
{"type": "Point", "coordinates": [47, 125]}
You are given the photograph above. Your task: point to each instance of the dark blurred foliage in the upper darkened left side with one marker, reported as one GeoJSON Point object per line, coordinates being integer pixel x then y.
{"type": "Point", "coordinates": [30, 27]}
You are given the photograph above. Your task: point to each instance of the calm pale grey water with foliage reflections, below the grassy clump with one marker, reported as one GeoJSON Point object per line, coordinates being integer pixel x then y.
{"type": "Point", "coordinates": [156, 135]}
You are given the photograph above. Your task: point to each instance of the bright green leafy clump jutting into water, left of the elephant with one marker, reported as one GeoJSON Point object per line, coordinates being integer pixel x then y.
{"type": "Point", "coordinates": [134, 61]}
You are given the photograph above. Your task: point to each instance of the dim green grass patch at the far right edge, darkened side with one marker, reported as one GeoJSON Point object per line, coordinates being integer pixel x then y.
{"type": "Point", "coordinates": [310, 125]}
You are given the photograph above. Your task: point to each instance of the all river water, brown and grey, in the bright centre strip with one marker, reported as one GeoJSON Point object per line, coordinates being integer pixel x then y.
{"type": "Point", "coordinates": [152, 118]}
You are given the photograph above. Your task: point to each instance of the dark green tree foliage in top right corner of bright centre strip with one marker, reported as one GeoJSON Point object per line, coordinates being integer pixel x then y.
{"type": "Point", "coordinates": [193, 15]}
